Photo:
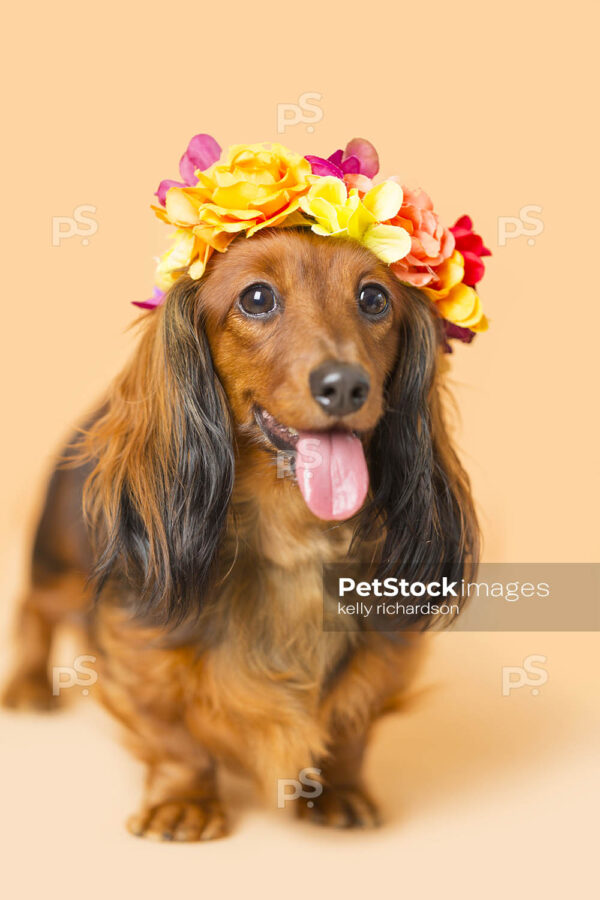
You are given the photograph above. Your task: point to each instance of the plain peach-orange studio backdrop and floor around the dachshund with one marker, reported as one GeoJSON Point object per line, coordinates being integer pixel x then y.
{"type": "Point", "coordinates": [490, 109]}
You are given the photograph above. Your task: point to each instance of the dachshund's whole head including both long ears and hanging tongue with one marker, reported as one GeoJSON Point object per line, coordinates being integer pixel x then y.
{"type": "Point", "coordinates": [288, 339]}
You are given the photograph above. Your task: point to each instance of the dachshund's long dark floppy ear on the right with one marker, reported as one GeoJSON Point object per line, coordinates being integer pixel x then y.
{"type": "Point", "coordinates": [421, 493]}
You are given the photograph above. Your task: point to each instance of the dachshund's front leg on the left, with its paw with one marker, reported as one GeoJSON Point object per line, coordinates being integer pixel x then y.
{"type": "Point", "coordinates": [152, 690]}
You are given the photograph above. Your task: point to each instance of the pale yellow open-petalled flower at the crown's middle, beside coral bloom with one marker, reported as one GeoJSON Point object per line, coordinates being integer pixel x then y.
{"type": "Point", "coordinates": [339, 212]}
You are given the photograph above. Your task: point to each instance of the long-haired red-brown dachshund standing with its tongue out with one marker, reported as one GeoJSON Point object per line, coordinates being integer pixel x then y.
{"type": "Point", "coordinates": [200, 569]}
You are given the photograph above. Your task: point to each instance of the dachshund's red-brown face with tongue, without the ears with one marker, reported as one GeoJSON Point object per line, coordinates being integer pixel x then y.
{"type": "Point", "coordinates": [304, 334]}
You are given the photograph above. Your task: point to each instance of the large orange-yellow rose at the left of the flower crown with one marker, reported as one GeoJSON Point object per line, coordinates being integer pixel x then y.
{"type": "Point", "coordinates": [252, 187]}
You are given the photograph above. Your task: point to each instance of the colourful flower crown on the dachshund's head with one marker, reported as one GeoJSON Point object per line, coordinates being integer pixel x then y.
{"type": "Point", "coordinates": [255, 186]}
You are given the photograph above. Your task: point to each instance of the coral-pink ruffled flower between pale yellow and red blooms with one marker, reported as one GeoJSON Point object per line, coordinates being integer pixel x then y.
{"type": "Point", "coordinates": [431, 242]}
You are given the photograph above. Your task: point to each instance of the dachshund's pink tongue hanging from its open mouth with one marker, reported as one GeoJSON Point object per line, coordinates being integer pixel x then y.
{"type": "Point", "coordinates": [332, 473]}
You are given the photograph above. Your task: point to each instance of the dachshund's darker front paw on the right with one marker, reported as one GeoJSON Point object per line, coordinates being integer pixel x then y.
{"type": "Point", "coordinates": [345, 806]}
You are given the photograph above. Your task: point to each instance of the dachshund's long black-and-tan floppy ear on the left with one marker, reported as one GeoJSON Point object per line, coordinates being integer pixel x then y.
{"type": "Point", "coordinates": [157, 499]}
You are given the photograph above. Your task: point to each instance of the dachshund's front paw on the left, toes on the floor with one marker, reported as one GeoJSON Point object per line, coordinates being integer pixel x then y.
{"type": "Point", "coordinates": [181, 820]}
